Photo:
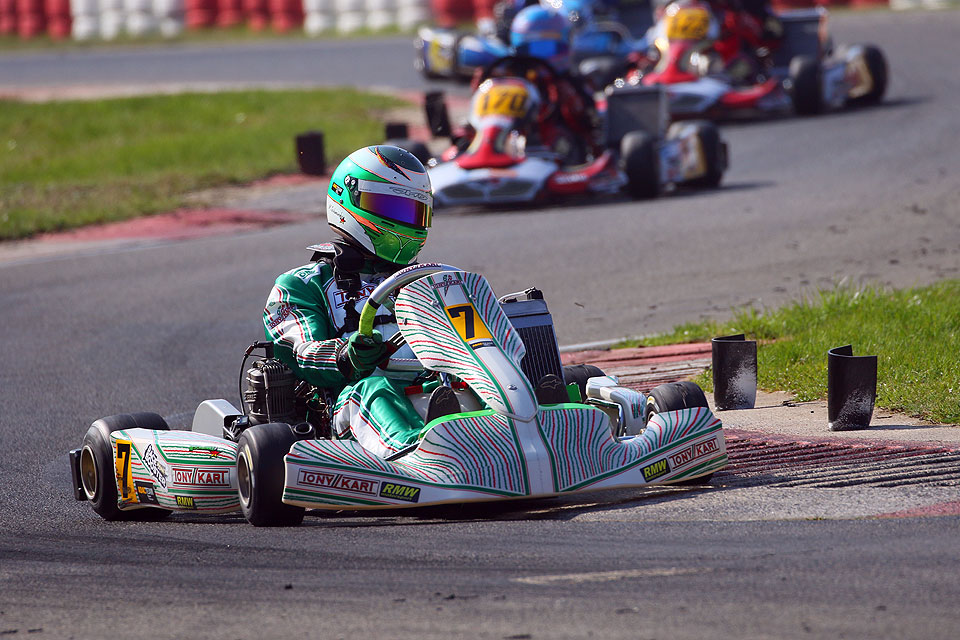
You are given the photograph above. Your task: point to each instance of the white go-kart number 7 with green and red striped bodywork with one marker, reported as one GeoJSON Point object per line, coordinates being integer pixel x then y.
{"type": "Point", "coordinates": [528, 439]}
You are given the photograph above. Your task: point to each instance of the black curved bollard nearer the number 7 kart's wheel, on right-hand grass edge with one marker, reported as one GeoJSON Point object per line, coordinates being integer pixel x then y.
{"type": "Point", "coordinates": [734, 372]}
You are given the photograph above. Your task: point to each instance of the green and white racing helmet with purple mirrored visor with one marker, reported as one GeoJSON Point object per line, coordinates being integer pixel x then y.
{"type": "Point", "coordinates": [380, 201]}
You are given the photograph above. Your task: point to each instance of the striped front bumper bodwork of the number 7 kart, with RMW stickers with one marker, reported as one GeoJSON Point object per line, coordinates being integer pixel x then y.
{"type": "Point", "coordinates": [485, 456]}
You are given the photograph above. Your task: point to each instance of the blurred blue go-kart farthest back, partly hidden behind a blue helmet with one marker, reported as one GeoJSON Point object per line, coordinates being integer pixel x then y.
{"type": "Point", "coordinates": [601, 41]}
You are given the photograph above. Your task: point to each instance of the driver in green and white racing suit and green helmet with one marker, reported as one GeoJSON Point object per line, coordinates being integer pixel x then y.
{"type": "Point", "coordinates": [380, 203]}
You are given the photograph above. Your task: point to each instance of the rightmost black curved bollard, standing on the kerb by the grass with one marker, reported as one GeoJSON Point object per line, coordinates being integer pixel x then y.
{"type": "Point", "coordinates": [851, 389]}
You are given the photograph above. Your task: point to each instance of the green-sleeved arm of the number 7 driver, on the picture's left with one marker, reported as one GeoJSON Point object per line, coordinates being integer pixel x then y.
{"type": "Point", "coordinates": [297, 321]}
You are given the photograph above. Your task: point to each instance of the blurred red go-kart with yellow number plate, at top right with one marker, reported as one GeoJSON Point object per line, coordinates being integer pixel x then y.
{"type": "Point", "coordinates": [803, 72]}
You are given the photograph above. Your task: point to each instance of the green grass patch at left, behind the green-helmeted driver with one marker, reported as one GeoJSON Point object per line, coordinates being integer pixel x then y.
{"type": "Point", "coordinates": [72, 163]}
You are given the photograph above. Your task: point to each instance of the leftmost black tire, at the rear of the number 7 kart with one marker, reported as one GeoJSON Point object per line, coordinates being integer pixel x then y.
{"type": "Point", "coordinates": [97, 469]}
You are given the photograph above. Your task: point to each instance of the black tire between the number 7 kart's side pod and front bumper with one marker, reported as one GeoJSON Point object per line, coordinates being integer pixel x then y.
{"type": "Point", "coordinates": [260, 476]}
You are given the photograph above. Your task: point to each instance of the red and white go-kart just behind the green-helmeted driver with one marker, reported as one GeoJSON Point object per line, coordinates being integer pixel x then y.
{"type": "Point", "coordinates": [518, 147]}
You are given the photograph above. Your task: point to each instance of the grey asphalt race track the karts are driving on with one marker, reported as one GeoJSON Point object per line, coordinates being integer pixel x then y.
{"type": "Point", "coordinates": [863, 196]}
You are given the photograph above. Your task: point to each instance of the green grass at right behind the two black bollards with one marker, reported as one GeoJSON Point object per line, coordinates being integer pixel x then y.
{"type": "Point", "coordinates": [915, 333]}
